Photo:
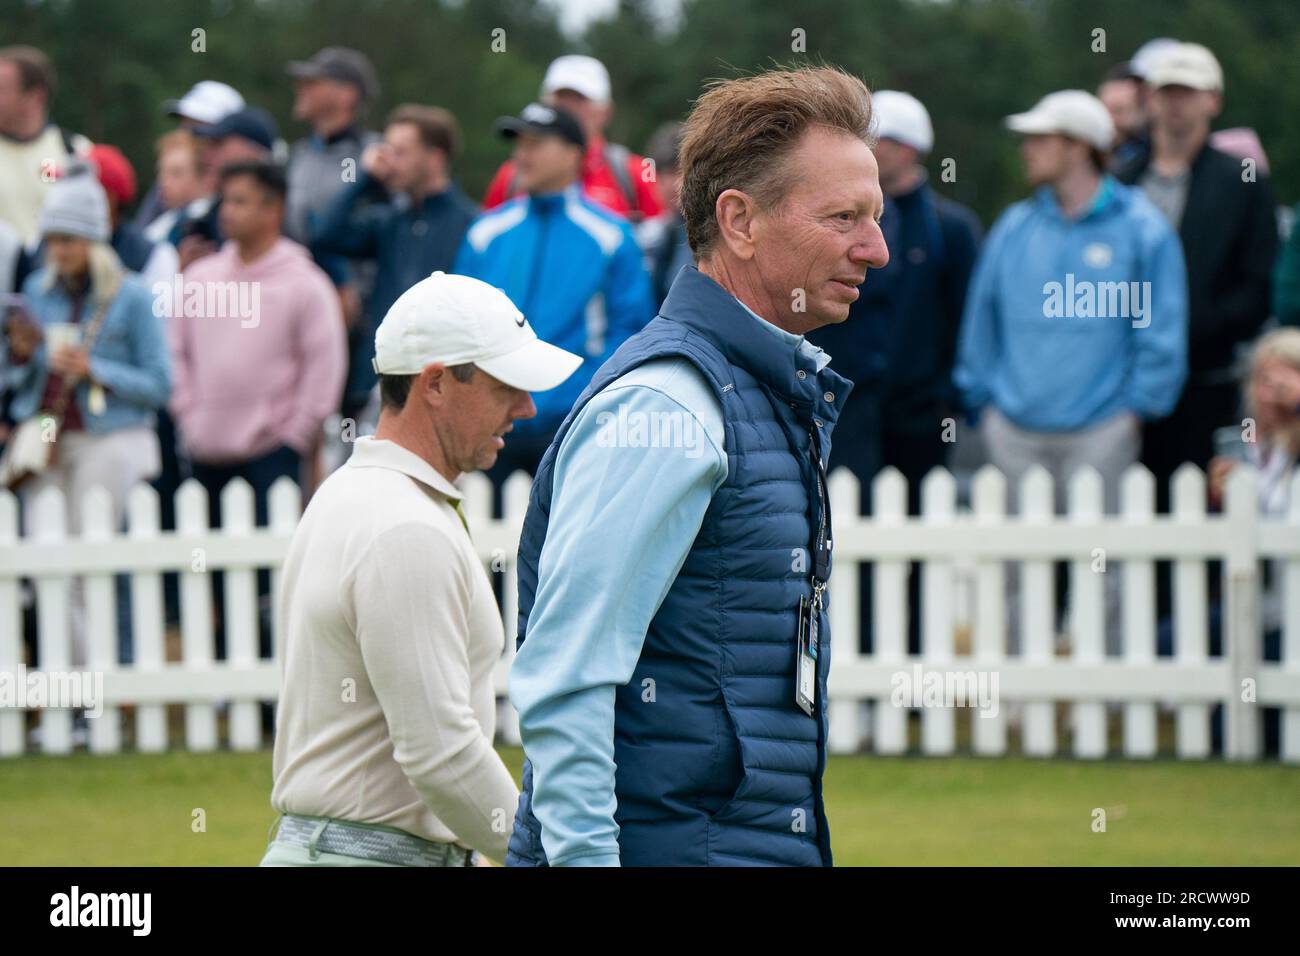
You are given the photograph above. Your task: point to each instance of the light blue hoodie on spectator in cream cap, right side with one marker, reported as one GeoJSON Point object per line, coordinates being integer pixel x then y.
{"type": "Point", "coordinates": [1069, 323]}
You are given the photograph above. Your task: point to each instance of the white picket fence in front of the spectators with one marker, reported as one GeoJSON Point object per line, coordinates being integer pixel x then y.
{"type": "Point", "coordinates": [964, 556]}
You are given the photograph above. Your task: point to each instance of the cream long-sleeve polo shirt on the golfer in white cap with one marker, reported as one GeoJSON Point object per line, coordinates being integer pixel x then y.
{"type": "Point", "coordinates": [392, 634]}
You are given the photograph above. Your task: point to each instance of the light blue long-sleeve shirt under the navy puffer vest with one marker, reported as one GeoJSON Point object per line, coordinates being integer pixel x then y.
{"type": "Point", "coordinates": [623, 520]}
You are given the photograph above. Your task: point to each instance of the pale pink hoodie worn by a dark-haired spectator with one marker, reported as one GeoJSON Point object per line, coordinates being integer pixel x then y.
{"type": "Point", "coordinates": [259, 353]}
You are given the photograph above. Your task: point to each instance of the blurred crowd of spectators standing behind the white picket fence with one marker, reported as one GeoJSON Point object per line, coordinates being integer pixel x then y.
{"type": "Point", "coordinates": [1142, 305]}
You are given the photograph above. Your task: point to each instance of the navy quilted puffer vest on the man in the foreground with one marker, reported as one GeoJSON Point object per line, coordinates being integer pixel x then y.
{"type": "Point", "coordinates": [717, 764]}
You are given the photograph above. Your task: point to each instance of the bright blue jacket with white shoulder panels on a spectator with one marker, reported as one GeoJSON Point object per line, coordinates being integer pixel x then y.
{"type": "Point", "coordinates": [575, 271]}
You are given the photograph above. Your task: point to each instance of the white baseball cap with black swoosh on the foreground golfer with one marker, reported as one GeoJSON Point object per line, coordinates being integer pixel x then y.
{"type": "Point", "coordinates": [458, 321]}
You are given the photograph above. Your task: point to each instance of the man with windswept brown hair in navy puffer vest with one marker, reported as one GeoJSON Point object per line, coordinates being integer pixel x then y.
{"type": "Point", "coordinates": [674, 642]}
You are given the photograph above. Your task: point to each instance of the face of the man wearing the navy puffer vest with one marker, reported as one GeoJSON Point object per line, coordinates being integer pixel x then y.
{"type": "Point", "coordinates": [814, 252]}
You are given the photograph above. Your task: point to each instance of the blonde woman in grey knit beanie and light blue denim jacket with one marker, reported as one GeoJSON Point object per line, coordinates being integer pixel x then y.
{"type": "Point", "coordinates": [90, 353]}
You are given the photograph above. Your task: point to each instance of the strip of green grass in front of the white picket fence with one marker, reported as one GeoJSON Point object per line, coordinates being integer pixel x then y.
{"type": "Point", "coordinates": [137, 810]}
